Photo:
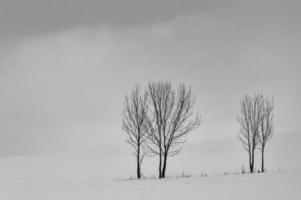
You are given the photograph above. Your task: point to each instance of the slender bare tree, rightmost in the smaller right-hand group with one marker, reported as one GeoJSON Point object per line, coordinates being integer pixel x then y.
{"type": "Point", "coordinates": [266, 126]}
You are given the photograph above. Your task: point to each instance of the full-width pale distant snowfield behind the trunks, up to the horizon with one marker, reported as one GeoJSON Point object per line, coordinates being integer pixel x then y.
{"type": "Point", "coordinates": [214, 156]}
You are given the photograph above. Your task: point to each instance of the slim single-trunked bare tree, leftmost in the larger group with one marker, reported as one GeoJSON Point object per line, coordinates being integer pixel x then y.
{"type": "Point", "coordinates": [135, 125]}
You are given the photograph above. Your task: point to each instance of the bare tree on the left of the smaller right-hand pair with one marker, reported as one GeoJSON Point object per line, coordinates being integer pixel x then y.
{"type": "Point", "coordinates": [250, 119]}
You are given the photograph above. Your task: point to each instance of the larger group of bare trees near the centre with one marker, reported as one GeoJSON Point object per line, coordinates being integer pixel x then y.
{"type": "Point", "coordinates": [157, 121]}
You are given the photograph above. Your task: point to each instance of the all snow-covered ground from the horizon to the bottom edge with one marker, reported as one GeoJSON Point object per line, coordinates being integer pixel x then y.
{"type": "Point", "coordinates": [106, 175]}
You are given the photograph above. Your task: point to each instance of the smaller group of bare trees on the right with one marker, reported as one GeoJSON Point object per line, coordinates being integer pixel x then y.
{"type": "Point", "coordinates": [256, 125]}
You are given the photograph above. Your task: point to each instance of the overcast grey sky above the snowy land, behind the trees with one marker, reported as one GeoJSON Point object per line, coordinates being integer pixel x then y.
{"type": "Point", "coordinates": [65, 65]}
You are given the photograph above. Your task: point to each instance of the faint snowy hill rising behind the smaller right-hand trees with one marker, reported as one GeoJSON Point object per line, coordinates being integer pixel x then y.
{"type": "Point", "coordinates": [282, 153]}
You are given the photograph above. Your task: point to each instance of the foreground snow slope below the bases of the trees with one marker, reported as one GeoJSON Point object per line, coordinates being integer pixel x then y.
{"type": "Point", "coordinates": [276, 186]}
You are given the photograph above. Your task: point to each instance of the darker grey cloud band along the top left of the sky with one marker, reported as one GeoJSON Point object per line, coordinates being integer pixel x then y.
{"type": "Point", "coordinates": [42, 16]}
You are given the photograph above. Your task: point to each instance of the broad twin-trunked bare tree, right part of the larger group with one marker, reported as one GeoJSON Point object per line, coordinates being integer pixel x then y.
{"type": "Point", "coordinates": [170, 119]}
